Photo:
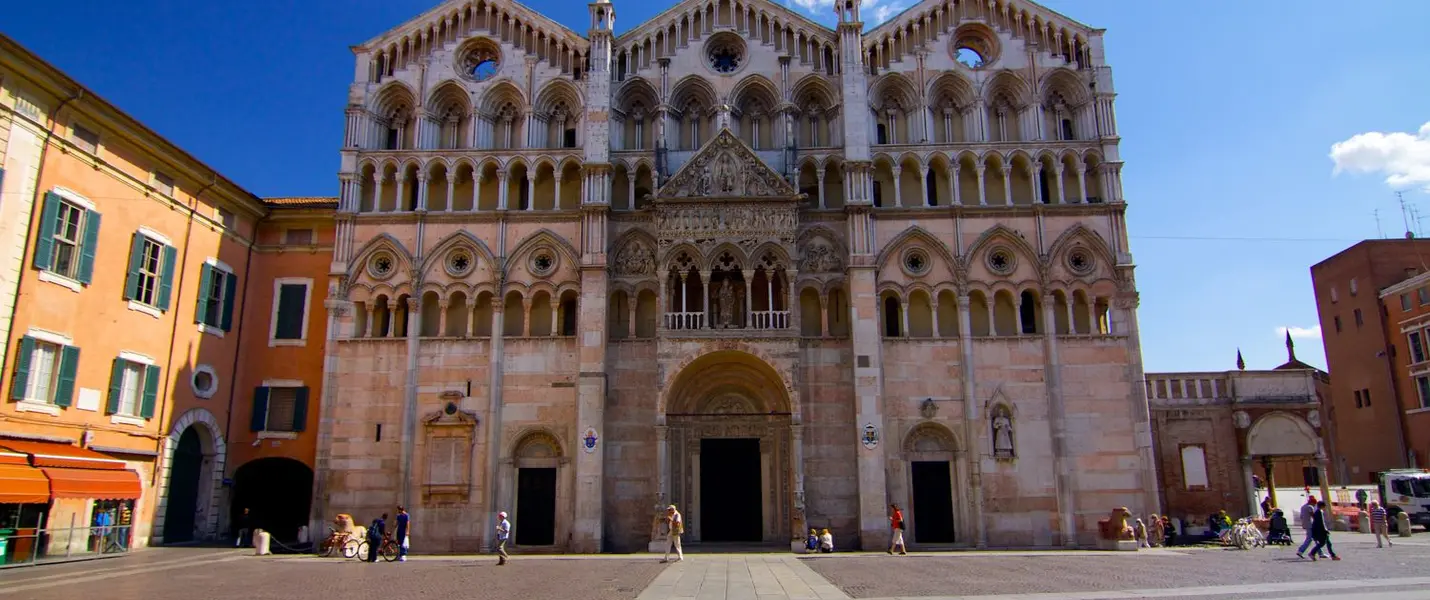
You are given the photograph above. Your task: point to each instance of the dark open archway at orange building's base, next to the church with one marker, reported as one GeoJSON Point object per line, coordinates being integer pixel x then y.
{"type": "Point", "coordinates": [278, 494]}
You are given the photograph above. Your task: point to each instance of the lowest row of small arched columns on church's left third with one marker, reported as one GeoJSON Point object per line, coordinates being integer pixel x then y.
{"type": "Point", "coordinates": [458, 315]}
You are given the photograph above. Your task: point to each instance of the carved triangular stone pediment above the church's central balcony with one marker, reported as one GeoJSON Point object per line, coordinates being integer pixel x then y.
{"type": "Point", "coordinates": [727, 169]}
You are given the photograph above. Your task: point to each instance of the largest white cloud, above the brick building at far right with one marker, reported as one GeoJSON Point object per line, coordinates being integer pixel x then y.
{"type": "Point", "coordinates": [1404, 158]}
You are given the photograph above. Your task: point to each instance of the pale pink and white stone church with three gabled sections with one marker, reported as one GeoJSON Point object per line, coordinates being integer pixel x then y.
{"type": "Point", "coordinates": [779, 275]}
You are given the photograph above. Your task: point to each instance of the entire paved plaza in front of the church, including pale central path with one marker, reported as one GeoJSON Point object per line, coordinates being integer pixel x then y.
{"type": "Point", "coordinates": [1179, 574]}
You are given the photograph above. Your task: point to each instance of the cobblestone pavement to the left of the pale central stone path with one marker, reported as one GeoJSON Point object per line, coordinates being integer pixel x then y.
{"type": "Point", "coordinates": [248, 578]}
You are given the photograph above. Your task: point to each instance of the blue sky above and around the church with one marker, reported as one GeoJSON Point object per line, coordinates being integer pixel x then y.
{"type": "Point", "coordinates": [1229, 112]}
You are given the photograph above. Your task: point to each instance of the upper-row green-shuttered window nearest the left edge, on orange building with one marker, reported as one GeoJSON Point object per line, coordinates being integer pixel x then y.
{"type": "Point", "coordinates": [68, 239]}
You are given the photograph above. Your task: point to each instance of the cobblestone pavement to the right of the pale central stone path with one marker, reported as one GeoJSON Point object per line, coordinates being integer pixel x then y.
{"type": "Point", "coordinates": [1060, 574]}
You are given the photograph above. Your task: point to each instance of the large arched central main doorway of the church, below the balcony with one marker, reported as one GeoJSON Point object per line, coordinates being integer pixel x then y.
{"type": "Point", "coordinates": [731, 464]}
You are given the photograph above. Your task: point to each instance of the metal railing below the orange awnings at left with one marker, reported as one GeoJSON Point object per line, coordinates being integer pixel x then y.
{"type": "Point", "coordinates": [26, 546]}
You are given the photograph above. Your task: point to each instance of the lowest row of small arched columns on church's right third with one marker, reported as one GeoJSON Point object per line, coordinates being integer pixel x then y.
{"type": "Point", "coordinates": [922, 314]}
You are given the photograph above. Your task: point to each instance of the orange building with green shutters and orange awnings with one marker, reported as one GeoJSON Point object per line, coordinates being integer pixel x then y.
{"type": "Point", "coordinates": [147, 302]}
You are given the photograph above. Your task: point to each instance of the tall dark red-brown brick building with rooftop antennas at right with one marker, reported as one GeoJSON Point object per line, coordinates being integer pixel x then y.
{"type": "Point", "coordinates": [1366, 349]}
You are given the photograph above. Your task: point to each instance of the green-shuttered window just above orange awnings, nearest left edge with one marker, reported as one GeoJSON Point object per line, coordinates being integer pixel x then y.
{"type": "Point", "coordinates": [45, 372]}
